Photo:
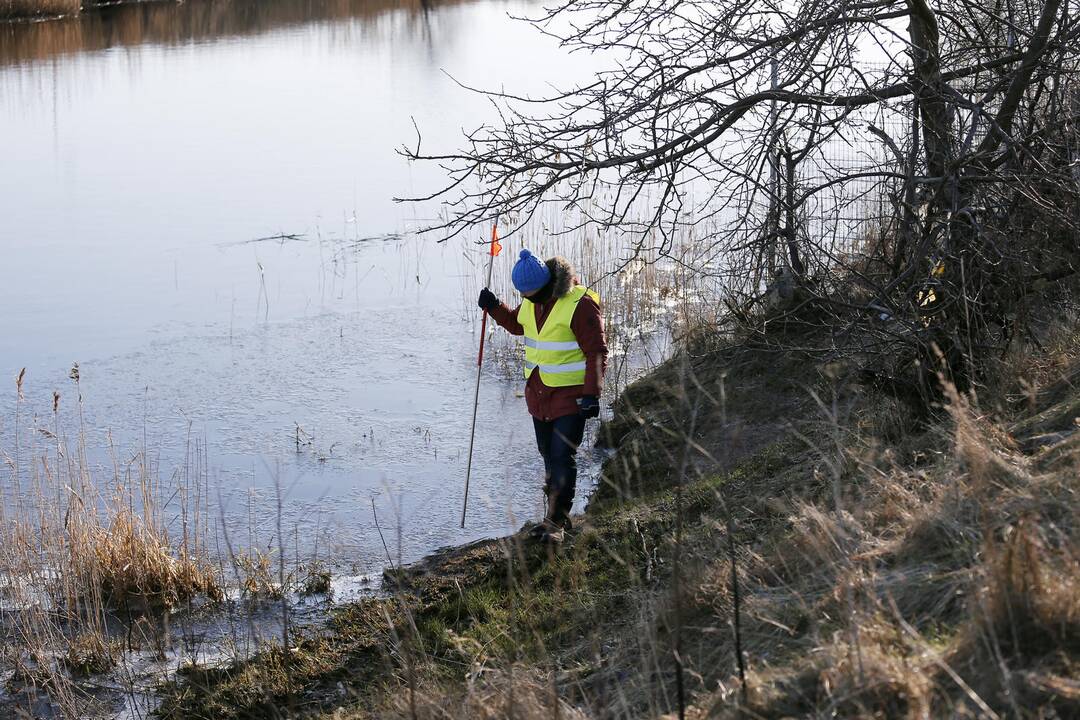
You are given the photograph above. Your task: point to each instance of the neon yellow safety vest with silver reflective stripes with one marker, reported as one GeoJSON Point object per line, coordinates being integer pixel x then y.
{"type": "Point", "coordinates": [555, 349]}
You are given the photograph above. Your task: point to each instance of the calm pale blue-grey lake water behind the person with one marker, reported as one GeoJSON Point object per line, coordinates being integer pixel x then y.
{"type": "Point", "coordinates": [145, 152]}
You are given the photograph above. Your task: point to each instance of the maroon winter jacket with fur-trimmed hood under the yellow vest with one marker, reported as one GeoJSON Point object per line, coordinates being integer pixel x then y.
{"type": "Point", "coordinates": [548, 403]}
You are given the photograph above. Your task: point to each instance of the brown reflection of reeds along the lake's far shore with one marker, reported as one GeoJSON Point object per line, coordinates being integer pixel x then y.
{"type": "Point", "coordinates": [200, 21]}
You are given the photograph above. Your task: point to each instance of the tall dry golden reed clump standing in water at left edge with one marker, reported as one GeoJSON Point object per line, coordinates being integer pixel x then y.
{"type": "Point", "coordinates": [86, 547]}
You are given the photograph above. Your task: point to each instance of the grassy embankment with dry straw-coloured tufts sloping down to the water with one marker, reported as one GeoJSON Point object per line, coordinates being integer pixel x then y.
{"type": "Point", "coordinates": [885, 568]}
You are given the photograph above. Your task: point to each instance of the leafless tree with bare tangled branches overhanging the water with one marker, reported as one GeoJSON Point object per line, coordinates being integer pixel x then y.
{"type": "Point", "coordinates": [719, 121]}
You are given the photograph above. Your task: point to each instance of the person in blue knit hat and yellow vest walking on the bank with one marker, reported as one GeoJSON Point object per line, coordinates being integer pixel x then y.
{"type": "Point", "coordinates": [565, 361]}
